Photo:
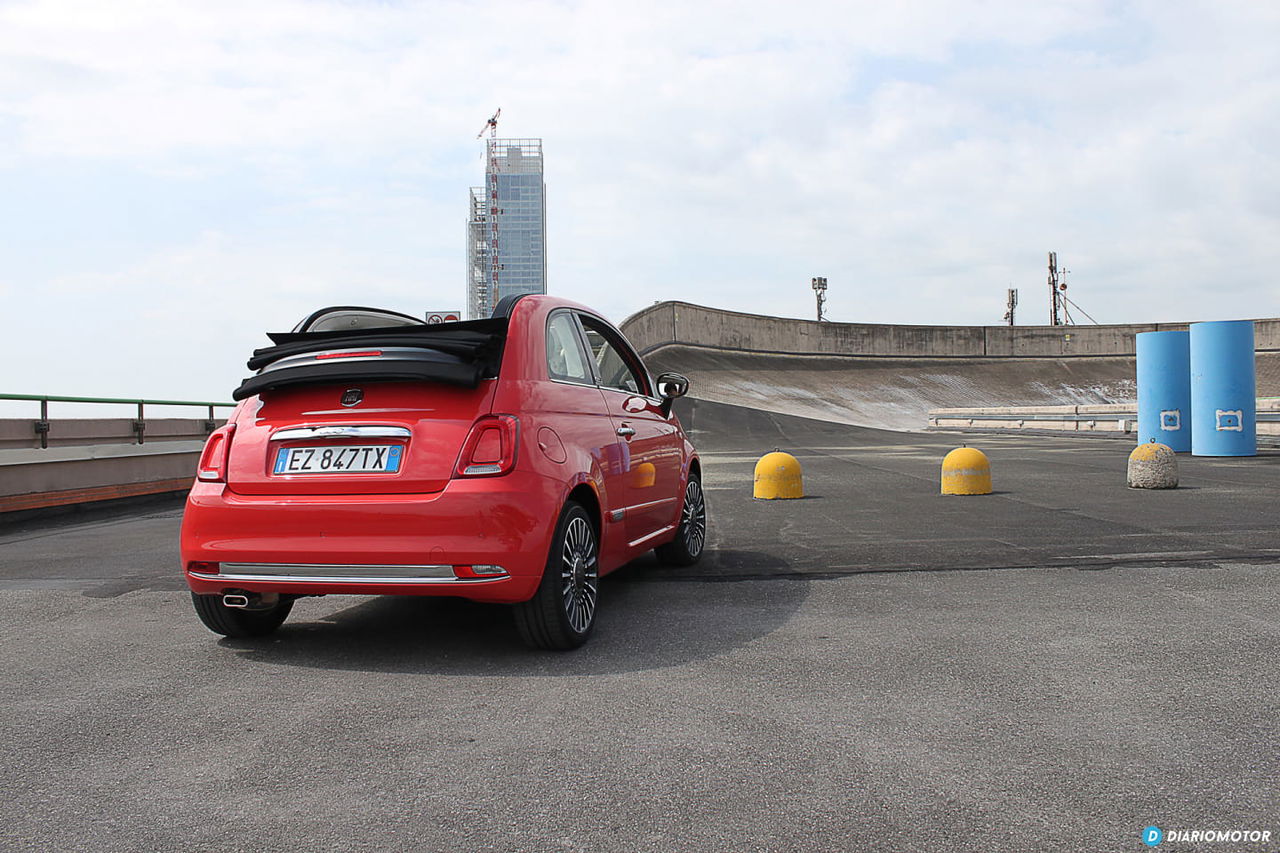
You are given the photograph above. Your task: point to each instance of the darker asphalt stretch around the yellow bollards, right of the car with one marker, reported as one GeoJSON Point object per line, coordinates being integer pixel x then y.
{"type": "Point", "coordinates": [874, 503]}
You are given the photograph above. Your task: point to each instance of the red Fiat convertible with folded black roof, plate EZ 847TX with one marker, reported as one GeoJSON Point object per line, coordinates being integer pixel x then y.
{"type": "Point", "coordinates": [515, 459]}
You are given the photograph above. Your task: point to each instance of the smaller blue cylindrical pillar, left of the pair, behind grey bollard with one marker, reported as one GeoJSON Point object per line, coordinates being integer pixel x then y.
{"type": "Point", "coordinates": [1165, 389]}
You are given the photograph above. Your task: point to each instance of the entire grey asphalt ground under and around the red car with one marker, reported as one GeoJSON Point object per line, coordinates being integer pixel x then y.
{"type": "Point", "coordinates": [874, 668]}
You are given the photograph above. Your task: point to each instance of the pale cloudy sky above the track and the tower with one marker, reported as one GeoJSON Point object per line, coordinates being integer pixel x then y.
{"type": "Point", "coordinates": [179, 179]}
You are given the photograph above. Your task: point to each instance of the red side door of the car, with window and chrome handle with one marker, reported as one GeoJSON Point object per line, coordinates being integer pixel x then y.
{"type": "Point", "coordinates": [647, 459]}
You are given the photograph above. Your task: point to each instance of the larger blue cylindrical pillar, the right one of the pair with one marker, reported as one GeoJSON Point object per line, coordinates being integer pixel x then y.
{"type": "Point", "coordinates": [1224, 390]}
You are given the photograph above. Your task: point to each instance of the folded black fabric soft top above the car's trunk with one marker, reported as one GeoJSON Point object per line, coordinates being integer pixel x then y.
{"type": "Point", "coordinates": [460, 354]}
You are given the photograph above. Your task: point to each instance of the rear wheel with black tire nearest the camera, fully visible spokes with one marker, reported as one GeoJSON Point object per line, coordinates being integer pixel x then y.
{"type": "Point", "coordinates": [563, 613]}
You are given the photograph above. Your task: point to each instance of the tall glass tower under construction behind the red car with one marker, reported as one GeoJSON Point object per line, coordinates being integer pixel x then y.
{"type": "Point", "coordinates": [508, 227]}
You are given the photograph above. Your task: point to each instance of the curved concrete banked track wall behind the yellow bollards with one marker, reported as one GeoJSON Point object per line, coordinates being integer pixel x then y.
{"type": "Point", "coordinates": [893, 376]}
